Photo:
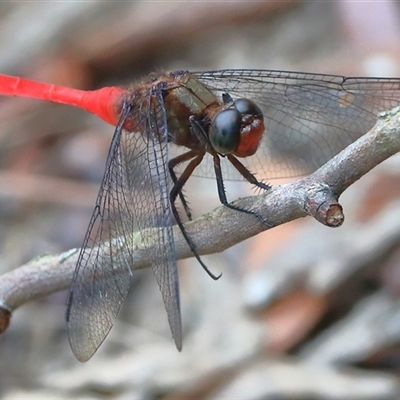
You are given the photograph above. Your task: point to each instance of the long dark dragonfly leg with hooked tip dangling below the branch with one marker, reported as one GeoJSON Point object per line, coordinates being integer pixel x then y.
{"type": "Point", "coordinates": [175, 191]}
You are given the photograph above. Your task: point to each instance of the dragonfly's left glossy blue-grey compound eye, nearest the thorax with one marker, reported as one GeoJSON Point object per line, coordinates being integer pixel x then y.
{"type": "Point", "coordinates": [225, 131]}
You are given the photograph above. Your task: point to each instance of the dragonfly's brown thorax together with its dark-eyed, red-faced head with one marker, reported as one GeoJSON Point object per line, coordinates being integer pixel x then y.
{"type": "Point", "coordinates": [235, 128]}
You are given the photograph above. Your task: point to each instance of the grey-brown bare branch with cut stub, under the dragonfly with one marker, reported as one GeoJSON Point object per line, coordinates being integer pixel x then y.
{"type": "Point", "coordinates": [316, 195]}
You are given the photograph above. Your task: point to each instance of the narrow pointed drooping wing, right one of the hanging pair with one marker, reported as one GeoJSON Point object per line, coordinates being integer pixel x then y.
{"type": "Point", "coordinates": [163, 259]}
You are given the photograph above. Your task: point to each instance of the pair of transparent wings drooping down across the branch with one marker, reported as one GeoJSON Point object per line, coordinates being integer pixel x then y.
{"type": "Point", "coordinates": [134, 196]}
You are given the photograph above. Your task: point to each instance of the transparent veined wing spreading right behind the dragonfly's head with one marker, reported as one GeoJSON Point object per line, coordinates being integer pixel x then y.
{"type": "Point", "coordinates": [309, 118]}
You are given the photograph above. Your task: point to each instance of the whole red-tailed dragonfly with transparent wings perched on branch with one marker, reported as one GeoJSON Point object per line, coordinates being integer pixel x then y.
{"type": "Point", "coordinates": [251, 125]}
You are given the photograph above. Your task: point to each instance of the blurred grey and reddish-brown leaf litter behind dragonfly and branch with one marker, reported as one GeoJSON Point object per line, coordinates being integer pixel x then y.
{"type": "Point", "coordinates": [301, 311]}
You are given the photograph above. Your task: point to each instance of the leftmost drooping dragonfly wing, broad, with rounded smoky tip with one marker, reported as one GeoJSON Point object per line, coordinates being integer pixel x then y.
{"type": "Point", "coordinates": [102, 276]}
